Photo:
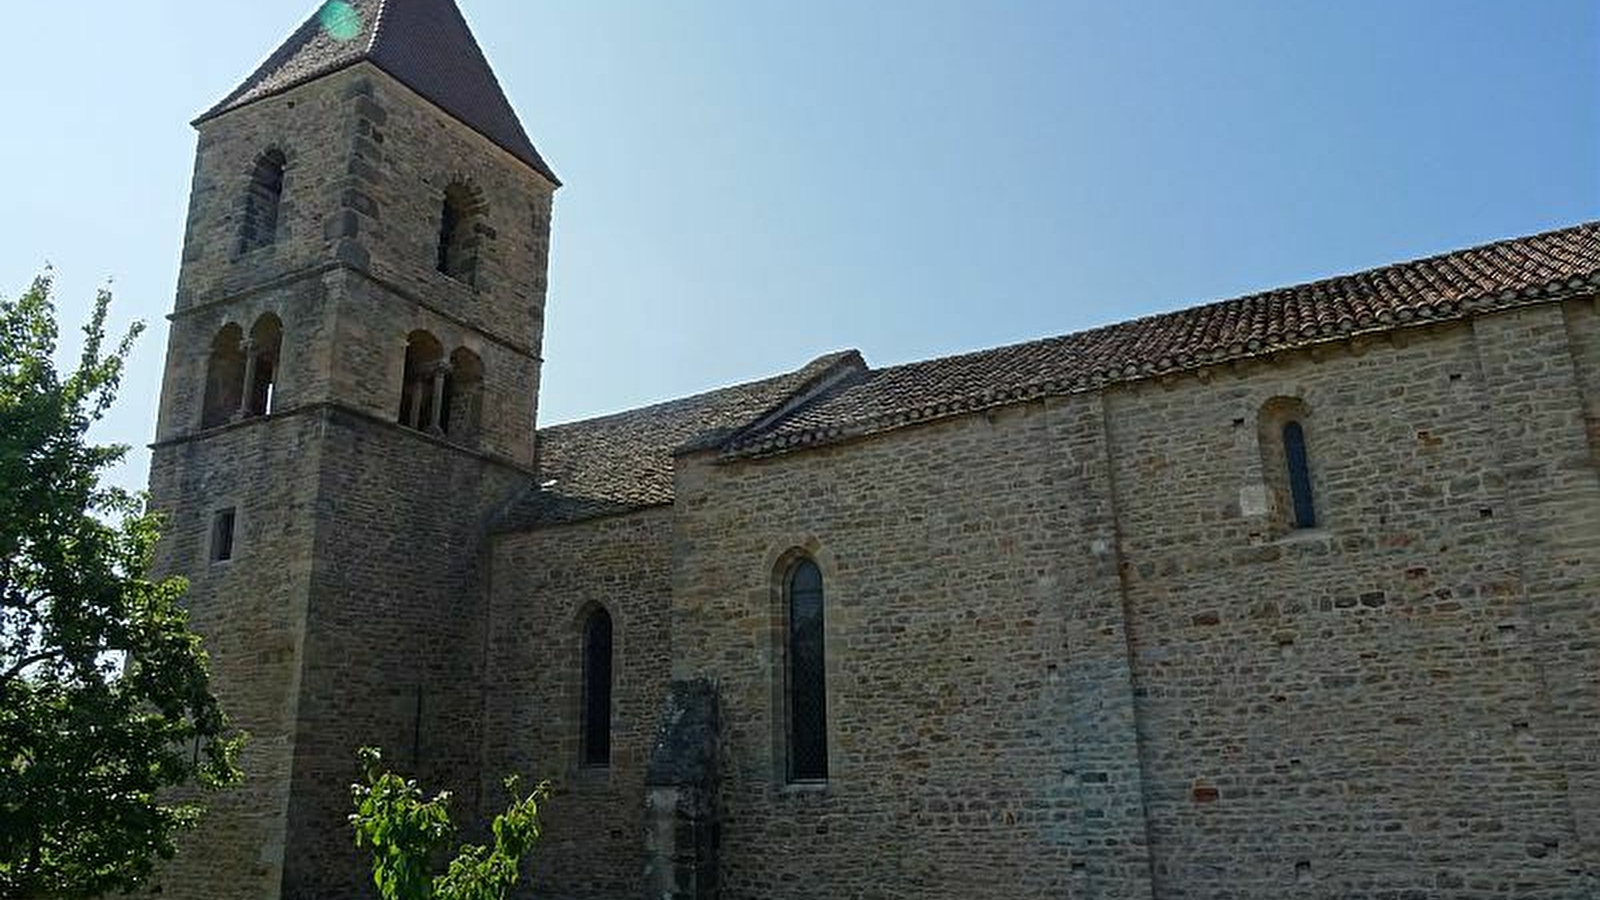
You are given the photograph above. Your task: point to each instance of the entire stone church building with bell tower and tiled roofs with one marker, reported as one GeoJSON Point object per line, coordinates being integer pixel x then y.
{"type": "Point", "coordinates": [1295, 595]}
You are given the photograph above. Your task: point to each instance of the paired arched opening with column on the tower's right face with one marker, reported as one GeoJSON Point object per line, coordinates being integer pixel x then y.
{"type": "Point", "coordinates": [442, 396]}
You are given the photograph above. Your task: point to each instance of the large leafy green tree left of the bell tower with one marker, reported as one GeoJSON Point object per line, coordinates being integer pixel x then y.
{"type": "Point", "coordinates": [105, 701]}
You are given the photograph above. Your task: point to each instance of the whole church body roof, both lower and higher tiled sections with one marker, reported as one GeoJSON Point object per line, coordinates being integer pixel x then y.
{"type": "Point", "coordinates": [625, 462]}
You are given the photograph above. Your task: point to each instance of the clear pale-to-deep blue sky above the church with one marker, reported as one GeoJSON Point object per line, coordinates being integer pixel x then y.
{"type": "Point", "coordinates": [754, 183]}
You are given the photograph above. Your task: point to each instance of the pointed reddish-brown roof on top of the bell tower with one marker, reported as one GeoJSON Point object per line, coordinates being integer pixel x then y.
{"type": "Point", "coordinates": [425, 44]}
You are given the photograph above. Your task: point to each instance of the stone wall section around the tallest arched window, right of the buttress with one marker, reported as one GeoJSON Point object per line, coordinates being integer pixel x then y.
{"type": "Point", "coordinates": [980, 705]}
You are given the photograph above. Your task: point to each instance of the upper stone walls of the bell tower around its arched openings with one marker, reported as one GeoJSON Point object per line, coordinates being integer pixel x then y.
{"type": "Point", "coordinates": [369, 164]}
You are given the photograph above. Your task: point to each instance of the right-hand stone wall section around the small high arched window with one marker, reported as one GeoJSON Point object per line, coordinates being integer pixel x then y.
{"type": "Point", "coordinates": [1358, 710]}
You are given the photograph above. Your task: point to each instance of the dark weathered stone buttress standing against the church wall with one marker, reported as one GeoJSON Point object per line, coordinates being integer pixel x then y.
{"type": "Point", "coordinates": [682, 810]}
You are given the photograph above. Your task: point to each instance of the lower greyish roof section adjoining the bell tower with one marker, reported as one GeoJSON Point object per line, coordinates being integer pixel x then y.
{"type": "Point", "coordinates": [625, 462]}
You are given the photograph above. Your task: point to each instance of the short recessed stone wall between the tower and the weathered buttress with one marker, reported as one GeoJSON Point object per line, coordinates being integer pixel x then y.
{"type": "Point", "coordinates": [545, 585]}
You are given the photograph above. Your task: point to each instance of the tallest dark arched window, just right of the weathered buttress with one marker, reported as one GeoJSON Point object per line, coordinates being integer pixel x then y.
{"type": "Point", "coordinates": [807, 675]}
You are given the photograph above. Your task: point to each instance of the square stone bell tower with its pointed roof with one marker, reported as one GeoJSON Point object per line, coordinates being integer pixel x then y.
{"type": "Point", "coordinates": [350, 398]}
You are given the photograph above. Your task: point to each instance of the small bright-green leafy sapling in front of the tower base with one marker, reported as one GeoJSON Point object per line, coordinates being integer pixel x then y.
{"type": "Point", "coordinates": [410, 835]}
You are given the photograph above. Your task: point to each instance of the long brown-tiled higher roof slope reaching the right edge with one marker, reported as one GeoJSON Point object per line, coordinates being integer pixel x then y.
{"type": "Point", "coordinates": [1450, 286]}
